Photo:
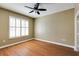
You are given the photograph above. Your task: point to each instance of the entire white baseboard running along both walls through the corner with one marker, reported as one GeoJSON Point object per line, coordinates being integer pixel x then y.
{"type": "Point", "coordinates": [39, 40]}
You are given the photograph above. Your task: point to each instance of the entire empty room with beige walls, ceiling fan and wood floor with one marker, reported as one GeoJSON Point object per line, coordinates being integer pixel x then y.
{"type": "Point", "coordinates": [39, 29]}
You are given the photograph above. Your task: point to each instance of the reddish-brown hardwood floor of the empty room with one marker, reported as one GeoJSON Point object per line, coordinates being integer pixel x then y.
{"type": "Point", "coordinates": [37, 48]}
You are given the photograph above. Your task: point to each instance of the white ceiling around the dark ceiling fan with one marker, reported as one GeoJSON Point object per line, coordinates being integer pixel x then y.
{"type": "Point", "coordinates": [51, 8]}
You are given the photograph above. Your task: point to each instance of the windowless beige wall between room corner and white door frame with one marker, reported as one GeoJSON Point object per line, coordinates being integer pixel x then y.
{"type": "Point", "coordinates": [58, 27]}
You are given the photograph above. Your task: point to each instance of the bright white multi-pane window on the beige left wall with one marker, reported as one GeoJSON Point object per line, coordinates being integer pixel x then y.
{"type": "Point", "coordinates": [18, 27]}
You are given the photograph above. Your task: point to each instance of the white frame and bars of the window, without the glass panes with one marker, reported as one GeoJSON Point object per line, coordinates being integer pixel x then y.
{"type": "Point", "coordinates": [26, 28]}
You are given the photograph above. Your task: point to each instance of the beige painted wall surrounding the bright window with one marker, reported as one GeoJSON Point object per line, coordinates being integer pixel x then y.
{"type": "Point", "coordinates": [4, 27]}
